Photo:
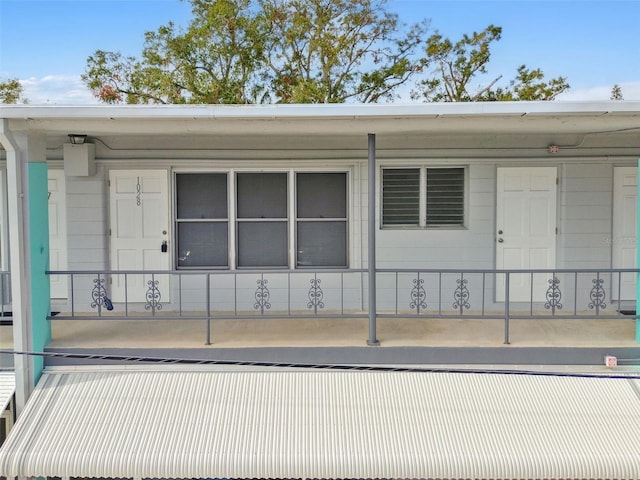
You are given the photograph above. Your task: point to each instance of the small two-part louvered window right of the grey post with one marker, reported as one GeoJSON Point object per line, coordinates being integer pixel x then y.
{"type": "Point", "coordinates": [423, 197]}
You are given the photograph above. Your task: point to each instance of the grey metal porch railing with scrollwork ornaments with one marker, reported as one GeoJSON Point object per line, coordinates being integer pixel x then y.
{"type": "Point", "coordinates": [400, 293]}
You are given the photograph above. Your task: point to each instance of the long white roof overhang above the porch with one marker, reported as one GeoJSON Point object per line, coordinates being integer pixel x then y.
{"type": "Point", "coordinates": [399, 123]}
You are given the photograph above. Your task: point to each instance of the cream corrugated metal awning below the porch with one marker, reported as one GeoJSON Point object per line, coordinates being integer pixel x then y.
{"type": "Point", "coordinates": [325, 424]}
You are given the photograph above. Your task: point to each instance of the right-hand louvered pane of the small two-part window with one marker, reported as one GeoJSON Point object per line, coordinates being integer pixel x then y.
{"type": "Point", "coordinates": [445, 196]}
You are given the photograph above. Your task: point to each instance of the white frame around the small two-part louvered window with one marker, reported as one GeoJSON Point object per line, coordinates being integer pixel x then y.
{"type": "Point", "coordinates": [422, 200]}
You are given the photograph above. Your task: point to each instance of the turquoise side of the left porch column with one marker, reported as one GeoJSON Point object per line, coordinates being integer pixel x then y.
{"type": "Point", "coordinates": [39, 254]}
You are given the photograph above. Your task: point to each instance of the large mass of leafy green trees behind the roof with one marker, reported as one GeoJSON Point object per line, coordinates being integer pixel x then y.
{"type": "Point", "coordinates": [305, 51]}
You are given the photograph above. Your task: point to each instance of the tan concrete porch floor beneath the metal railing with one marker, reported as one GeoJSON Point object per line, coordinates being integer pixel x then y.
{"type": "Point", "coordinates": [341, 332]}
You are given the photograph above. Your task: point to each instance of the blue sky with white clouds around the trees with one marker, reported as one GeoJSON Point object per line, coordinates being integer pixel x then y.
{"type": "Point", "coordinates": [45, 43]}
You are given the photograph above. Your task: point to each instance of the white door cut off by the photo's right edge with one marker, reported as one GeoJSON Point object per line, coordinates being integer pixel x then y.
{"type": "Point", "coordinates": [624, 238]}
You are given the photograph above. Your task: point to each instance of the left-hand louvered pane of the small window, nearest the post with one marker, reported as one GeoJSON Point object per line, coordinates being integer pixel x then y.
{"type": "Point", "coordinates": [401, 196]}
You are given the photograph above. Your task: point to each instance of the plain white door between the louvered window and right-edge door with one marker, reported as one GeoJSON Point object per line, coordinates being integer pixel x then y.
{"type": "Point", "coordinates": [525, 229]}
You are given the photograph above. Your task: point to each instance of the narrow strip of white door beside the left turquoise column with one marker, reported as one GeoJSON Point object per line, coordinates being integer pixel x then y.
{"type": "Point", "coordinates": [57, 233]}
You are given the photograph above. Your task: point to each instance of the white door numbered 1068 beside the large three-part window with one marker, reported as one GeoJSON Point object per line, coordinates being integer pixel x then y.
{"type": "Point", "coordinates": [139, 206]}
